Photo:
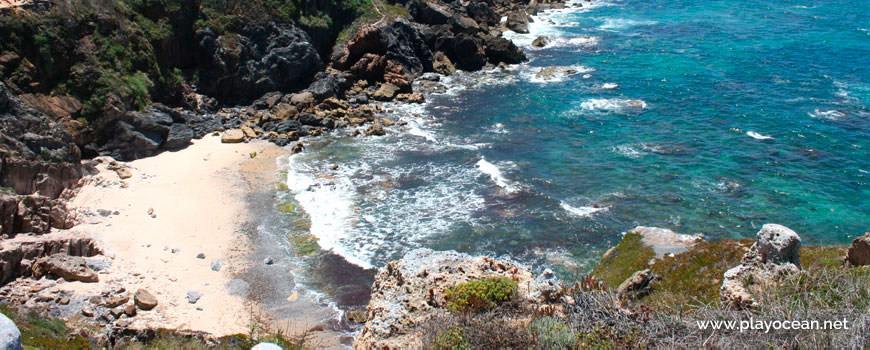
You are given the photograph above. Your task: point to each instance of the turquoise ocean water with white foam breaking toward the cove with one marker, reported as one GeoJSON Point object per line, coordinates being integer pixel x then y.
{"type": "Point", "coordinates": [710, 117]}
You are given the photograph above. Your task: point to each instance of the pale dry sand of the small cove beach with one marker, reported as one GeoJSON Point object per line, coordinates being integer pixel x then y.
{"type": "Point", "coordinates": [197, 196]}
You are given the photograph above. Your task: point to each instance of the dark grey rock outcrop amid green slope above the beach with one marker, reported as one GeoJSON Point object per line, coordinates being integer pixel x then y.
{"type": "Point", "coordinates": [238, 69]}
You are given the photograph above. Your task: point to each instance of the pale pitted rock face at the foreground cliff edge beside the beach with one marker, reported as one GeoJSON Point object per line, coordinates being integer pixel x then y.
{"type": "Point", "coordinates": [408, 292]}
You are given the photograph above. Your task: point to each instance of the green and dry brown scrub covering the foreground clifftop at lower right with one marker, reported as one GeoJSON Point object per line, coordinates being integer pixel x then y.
{"type": "Point", "coordinates": [686, 293]}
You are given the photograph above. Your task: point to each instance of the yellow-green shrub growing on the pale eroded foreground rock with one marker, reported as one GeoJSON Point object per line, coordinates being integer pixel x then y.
{"type": "Point", "coordinates": [480, 295]}
